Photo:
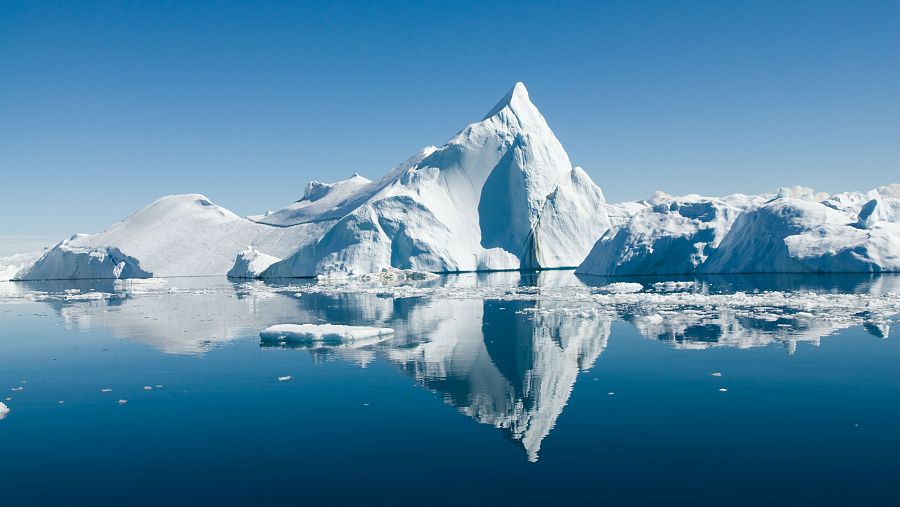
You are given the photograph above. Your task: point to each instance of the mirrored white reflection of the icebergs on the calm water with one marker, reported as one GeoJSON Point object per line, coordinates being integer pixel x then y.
{"type": "Point", "coordinates": [505, 349]}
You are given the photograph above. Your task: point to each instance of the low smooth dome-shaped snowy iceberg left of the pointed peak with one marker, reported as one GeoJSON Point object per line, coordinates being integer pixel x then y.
{"type": "Point", "coordinates": [179, 235]}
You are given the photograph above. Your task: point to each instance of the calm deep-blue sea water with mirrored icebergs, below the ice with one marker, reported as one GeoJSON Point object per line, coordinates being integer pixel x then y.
{"type": "Point", "coordinates": [494, 389]}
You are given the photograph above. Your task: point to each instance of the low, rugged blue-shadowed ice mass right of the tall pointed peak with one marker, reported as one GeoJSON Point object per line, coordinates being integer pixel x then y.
{"type": "Point", "coordinates": [795, 230]}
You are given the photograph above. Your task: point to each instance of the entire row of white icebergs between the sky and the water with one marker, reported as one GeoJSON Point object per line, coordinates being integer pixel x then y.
{"type": "Point", "coordinates": [500, 195]}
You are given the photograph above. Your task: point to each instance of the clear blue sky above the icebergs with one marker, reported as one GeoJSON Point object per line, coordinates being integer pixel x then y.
{"type": "Point", "coordinates": [106, 106]}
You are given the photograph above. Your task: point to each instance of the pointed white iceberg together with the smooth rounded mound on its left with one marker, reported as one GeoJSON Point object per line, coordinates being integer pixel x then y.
{"type": "Point", "coordinates": [501, 194]}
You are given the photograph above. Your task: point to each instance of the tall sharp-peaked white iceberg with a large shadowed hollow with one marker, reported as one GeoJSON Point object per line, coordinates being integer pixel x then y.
{"type": "Point", "coordinates": [501, 194]}
